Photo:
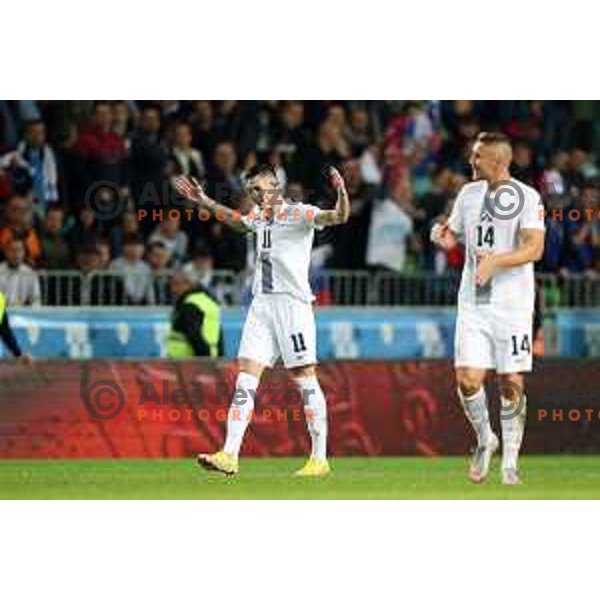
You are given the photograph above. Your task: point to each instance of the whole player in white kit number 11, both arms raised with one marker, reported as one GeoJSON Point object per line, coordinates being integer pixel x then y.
{"type": "Point", "coordinates": [280, 321]}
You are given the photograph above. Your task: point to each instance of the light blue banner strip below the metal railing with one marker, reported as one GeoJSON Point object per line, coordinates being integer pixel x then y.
{"type": "Point", "coordinates": [342, 332]}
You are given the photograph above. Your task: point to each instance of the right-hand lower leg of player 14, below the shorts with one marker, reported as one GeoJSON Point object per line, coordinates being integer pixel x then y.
{"type": "Point", "coordinates": [512, 417]}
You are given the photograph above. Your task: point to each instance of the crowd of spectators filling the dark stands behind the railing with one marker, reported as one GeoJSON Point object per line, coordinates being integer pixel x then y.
{"type": "Point", "coordinates": [66, 165]}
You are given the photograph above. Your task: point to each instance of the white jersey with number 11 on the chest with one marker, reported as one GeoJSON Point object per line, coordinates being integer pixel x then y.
{"type": "Point", "coordinates": [283, 249]}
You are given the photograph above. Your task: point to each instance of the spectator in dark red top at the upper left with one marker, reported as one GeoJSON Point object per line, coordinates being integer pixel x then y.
{"type": "Point", "coordinates": [102, 151]}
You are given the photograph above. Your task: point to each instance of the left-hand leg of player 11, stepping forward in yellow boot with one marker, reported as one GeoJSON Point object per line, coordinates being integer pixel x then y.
{"type": "Point", "coordinates": [238, 418]}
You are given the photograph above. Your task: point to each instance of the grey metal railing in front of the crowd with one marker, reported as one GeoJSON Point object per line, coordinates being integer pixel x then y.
{"type": "Point", "coordinates": [332, 287]}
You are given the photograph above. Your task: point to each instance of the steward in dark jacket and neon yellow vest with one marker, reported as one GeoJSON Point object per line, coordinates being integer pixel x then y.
{"type": "Point", "coordinates": [196, 322]}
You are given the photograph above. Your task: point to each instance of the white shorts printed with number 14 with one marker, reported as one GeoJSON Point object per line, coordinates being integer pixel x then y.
{"type": "Point", "coordinates": [492, 338]}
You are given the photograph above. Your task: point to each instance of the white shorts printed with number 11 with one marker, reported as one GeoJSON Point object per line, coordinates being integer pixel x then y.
{"type": "Point", "coordinates": [278, 325]}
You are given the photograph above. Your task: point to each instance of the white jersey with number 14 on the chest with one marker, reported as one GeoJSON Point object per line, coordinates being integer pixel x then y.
{"type": "Point", "coordinates": [494, 227]}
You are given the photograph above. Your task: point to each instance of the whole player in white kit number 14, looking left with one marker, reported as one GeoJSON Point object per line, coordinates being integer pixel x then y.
{"type": "Point", "coordinates": [500, 222]}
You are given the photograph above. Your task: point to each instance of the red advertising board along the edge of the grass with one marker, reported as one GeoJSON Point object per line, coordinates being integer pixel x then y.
{"type": "Point", "coordinates": [108, 409]}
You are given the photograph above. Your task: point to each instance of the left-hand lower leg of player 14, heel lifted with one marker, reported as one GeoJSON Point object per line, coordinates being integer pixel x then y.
{"type": "Point", "coordinates": [472, 396]}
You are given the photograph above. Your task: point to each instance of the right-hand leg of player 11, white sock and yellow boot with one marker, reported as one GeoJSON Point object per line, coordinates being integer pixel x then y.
{"type": "Point", "coordinates": [315, 410]}
